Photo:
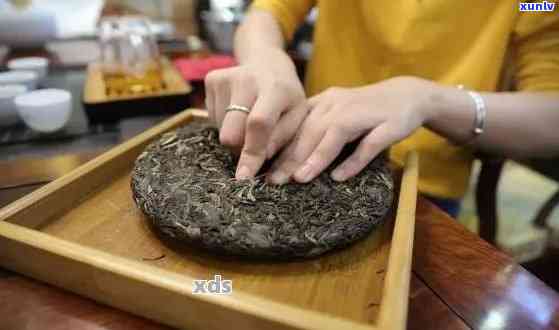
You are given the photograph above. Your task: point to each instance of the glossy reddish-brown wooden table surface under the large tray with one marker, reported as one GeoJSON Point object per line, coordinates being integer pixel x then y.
{"type": "Point", "coordinates": [458, 282]}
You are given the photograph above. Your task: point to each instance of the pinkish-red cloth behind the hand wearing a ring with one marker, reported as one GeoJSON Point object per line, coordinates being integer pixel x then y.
{"type": "Point", "coordinates": [193, 69]}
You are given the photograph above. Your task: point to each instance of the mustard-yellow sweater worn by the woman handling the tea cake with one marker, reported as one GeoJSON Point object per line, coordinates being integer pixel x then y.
{"type": "Point", "coordinates": [359, 42]}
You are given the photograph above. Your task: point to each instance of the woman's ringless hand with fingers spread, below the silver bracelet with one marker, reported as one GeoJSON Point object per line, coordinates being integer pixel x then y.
{"type": "Point", "coordinates": [382, 114]}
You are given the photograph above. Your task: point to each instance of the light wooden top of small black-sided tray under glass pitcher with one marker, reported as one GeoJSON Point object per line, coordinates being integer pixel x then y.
{"type": "Point", "coordinates": [95, 91]}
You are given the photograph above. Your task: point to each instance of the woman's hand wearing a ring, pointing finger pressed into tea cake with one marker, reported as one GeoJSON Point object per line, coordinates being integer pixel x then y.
{"type": "Point", "coordinates": [268, 85]}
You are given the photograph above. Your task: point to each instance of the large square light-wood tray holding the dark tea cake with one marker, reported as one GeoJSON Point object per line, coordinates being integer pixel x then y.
{"type": "Point", "coordinates": [83, 233]}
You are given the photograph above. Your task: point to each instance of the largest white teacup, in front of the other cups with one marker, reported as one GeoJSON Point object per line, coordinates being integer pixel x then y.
{"type": "Point", "coordinates": [45, 110]}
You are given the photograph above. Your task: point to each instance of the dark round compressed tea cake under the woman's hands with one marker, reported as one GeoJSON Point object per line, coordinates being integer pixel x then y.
{"type": "Point", "coordinates": [185, 184]}
